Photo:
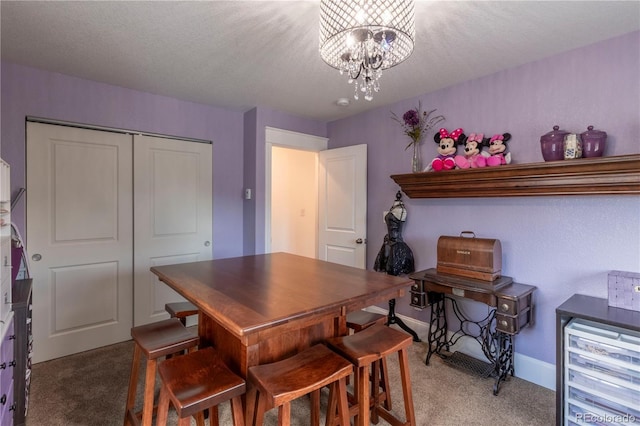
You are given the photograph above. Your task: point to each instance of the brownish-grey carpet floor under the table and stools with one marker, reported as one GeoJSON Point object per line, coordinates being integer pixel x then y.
{"type": "Point", "coordinates": [89, 389]}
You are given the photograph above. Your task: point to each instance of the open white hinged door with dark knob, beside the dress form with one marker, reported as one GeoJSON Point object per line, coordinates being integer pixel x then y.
{"type": "Point", "coordinates": [342, 205]}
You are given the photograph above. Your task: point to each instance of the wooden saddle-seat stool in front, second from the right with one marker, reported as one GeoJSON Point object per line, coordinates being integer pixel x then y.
{"type": "Point", "coordinates": [307, 372]}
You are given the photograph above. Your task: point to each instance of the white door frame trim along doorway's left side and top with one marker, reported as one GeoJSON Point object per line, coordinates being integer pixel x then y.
{"type": "Point", "coordinates": [287, 139]}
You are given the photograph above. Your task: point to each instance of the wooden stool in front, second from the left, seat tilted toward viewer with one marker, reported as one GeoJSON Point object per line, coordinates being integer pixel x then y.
{"type": "Point", "coordinates": [197, 381]}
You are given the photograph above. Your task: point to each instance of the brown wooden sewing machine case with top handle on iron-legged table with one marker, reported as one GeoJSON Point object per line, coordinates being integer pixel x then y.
{"type": "Point", "coordinates": [471, 257]}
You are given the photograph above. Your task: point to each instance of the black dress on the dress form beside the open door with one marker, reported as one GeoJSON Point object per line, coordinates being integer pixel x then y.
{"type": "Point", "coordinates": [395, 257]}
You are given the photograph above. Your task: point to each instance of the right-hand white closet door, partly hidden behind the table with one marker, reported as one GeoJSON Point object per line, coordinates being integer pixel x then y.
{"type": "Point", "coordinates": [172, 215]}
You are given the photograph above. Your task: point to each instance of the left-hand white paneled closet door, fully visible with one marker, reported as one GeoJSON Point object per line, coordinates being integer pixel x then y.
{"type": "Point", "coordinates": [80, 238]}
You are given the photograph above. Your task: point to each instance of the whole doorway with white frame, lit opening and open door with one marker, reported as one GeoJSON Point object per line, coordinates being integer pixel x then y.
{"type": "Point", "coordinates": [340, 189]}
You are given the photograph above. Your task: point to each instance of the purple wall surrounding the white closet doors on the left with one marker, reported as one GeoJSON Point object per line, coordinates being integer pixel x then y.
{"type": "Point", "coordinates": [31, 92]}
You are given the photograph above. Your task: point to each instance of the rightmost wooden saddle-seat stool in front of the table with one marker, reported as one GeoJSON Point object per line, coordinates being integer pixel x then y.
{"type": "Point", "coordinates": [364, 349]}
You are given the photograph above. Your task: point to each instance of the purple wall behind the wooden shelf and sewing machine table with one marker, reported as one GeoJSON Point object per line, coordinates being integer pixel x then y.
{"type": "Point", "coordinates": [562, 245]}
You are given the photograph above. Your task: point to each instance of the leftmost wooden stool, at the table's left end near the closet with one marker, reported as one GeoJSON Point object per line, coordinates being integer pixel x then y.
{"type": "Point", "coordinates": [154, 341]}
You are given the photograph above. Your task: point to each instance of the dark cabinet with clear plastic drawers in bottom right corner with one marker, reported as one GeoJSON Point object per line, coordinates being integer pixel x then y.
{"type": "Point", "coordinates": [597, 362]}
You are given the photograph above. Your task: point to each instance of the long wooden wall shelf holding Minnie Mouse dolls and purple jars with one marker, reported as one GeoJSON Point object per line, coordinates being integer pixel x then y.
{"type": "Point", "coordinates": [585, 176]}
